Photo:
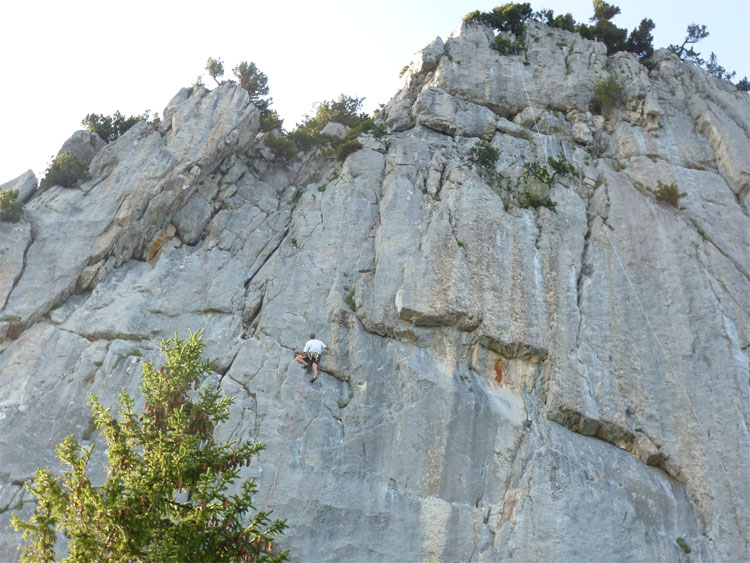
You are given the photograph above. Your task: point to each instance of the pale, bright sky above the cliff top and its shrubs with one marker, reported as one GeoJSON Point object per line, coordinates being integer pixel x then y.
{"type": "Point", "coordinates": [62, 60]}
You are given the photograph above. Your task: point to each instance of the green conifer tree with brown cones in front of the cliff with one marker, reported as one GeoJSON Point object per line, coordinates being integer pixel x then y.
{"type": "Point", "coordinates": [165, 497]}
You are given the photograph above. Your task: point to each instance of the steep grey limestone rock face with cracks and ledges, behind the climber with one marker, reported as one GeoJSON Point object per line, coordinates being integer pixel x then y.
{"type": "Point", "coordinates": [504, 382]}
